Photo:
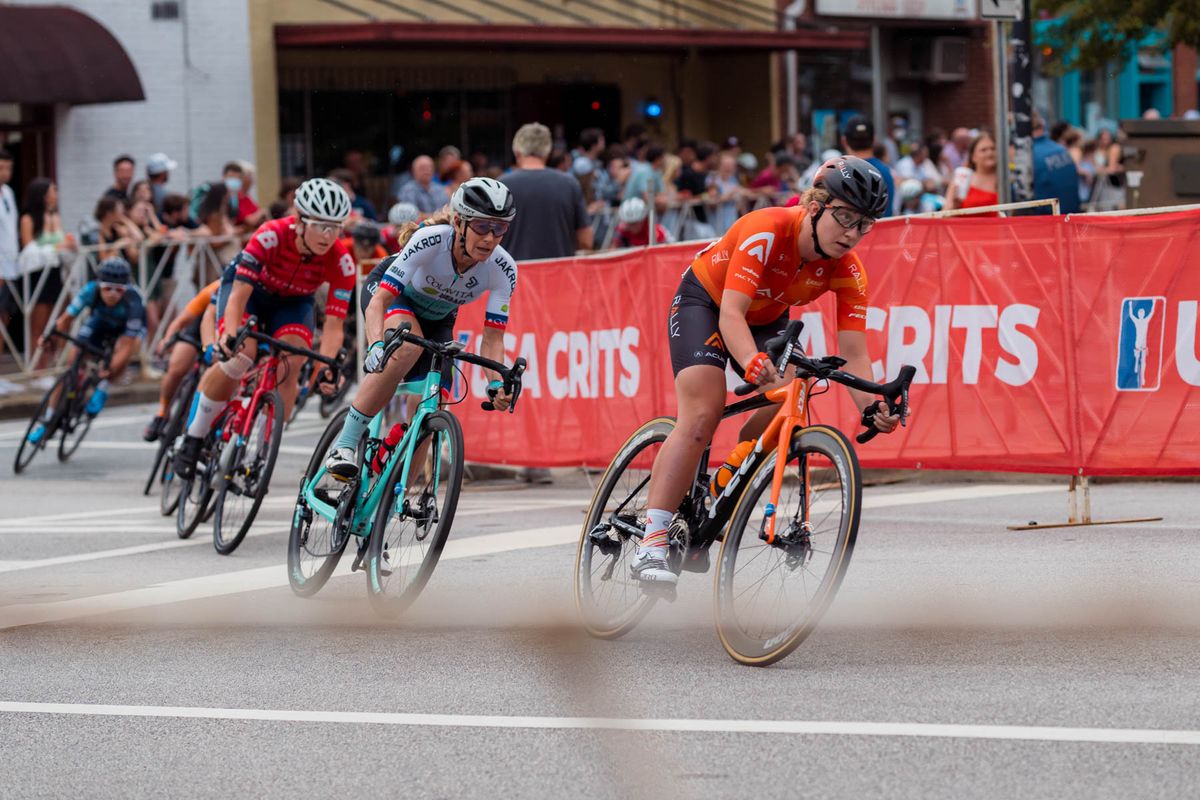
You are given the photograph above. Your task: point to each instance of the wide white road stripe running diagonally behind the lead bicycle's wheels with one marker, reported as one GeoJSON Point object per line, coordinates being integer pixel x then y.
{"type": "Point", "coordinates": [277, 576]}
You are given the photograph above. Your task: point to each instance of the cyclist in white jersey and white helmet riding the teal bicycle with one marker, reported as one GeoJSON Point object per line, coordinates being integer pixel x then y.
{"type": "Point", "coordinates": [441, 268]}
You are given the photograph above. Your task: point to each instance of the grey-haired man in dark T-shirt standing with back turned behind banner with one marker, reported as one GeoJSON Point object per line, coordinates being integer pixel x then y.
{"type": "Point", "coordinates": [553, 220]}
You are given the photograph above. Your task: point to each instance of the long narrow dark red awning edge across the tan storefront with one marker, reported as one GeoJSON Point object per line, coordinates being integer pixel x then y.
{"type": "Point", "coordinates": [382, 34]}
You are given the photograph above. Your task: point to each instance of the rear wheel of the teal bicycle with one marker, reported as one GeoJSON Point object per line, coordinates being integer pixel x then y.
{"type": "Point", "coordinates": [316, 544]}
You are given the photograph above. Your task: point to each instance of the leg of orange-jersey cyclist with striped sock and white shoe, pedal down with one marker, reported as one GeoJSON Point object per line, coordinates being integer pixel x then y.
{"type": "Point", "coordinates": [701, 395]}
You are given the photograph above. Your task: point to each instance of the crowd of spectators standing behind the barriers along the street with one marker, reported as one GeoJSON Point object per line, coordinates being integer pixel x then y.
{"type": "Point", "coordinates": [597, 195]}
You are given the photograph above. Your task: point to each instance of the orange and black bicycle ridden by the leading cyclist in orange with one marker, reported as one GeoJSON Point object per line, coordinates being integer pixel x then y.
{"type": "Point", "coordinates": [787, 520]}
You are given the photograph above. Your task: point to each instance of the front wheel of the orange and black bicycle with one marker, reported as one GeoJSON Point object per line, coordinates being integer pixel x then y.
{"type": "Point", "coordinates": [770, 597]}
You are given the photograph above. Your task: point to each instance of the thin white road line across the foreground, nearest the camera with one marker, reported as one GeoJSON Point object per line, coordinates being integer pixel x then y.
{"type": "Point", "coordinates": [788, 727]}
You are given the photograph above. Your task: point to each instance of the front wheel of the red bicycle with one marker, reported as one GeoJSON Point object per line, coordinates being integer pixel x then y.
{"type": "Point", "coordinates": [243, 489]}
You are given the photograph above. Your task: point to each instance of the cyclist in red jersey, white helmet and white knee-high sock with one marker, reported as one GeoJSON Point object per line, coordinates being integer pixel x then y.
{"type": "Point", "coordinates": [275, 279]}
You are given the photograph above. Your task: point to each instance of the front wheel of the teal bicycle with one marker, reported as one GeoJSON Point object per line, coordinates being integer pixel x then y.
{"type": "Point", "coordinates": [415, 520]}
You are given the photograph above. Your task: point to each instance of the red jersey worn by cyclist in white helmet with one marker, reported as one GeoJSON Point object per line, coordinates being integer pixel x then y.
{"type": "Point", "coordinates": [272, 261]}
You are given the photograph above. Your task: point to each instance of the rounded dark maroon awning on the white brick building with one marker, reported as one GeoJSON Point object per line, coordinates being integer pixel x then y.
{"type": "Point", "coordinates": [51, 55]}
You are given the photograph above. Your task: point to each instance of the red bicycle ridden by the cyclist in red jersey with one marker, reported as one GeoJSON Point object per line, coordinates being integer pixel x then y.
{"type": "Point", "coordinates": [238, 456]}
